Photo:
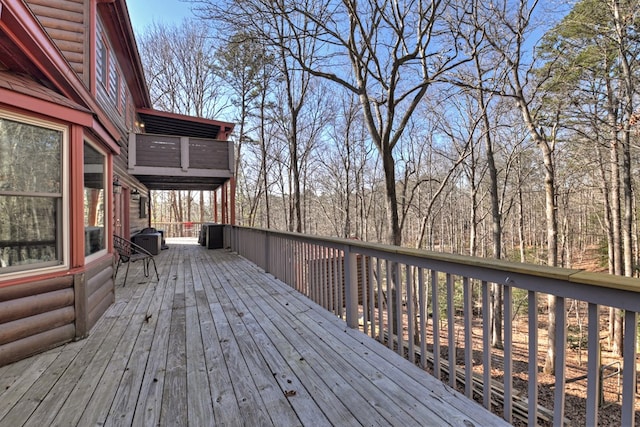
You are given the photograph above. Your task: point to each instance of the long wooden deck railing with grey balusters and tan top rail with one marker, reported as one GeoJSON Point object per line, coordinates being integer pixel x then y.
{"type": "Point", "coordinates": [441, 303]}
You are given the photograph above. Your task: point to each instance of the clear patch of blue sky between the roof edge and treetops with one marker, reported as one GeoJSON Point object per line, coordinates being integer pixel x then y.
{"type": "Point", "coordinates": [145, 12]}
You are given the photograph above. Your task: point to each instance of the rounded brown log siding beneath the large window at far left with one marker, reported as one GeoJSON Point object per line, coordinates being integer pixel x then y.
{"type": "Point", "coordinates": [35, 317]}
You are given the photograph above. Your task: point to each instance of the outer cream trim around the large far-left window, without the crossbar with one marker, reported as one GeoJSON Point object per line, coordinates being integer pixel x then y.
{"type": "Point", "coordinates": [66, 229]}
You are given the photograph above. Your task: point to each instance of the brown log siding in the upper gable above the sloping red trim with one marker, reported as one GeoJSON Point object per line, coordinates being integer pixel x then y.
{"type": "Point", "coordinates": [66, 22]}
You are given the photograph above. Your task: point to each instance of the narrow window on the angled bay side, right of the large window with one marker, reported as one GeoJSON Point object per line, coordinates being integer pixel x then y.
{"type": "Point", "coordinates": [94, 200]}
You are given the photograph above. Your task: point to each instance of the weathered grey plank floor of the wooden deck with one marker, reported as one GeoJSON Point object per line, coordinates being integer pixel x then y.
{"type": "Point", "coordinates": [218, 342]}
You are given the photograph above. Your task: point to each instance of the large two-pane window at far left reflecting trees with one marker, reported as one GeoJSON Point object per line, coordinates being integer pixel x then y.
{"type": "Point", "coordinates": [31, 194]}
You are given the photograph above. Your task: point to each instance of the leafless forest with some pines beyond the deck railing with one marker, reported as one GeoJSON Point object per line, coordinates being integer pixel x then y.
{"type": "Point", "coordinates": [502, 129]}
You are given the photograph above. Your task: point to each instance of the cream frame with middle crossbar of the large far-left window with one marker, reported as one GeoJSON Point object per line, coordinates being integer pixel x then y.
{"type": "Point", "coordinates": [63, 237]}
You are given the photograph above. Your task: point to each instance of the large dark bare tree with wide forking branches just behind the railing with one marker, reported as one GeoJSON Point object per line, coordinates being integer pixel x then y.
{"type": "Point", "coordinates": [387, 54]}
